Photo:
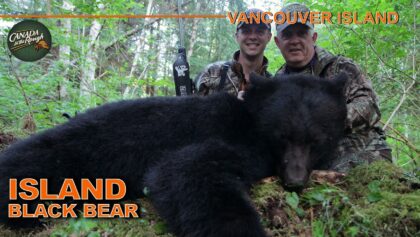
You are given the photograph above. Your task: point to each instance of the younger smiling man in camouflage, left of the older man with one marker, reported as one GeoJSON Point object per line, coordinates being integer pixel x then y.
{"type": "Point", "coordinates": [233, 76]}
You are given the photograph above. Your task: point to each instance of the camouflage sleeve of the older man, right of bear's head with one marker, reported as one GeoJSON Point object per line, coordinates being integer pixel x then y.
{"type": "Point", "coordinates": [362, 104]}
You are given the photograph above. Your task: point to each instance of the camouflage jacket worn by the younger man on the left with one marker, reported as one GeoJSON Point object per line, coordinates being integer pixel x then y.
{"type": "Point", "coordinates": [207, 82]}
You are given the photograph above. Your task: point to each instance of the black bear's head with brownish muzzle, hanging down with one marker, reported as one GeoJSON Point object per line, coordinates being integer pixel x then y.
{"type": "Point", "coordinates": [301, 119]}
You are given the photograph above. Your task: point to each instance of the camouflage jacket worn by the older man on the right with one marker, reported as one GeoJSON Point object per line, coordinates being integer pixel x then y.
{"type": "Point", "coordinates": [363, 113]}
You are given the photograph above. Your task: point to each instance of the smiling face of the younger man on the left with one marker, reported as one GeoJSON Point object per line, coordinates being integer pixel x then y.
{"type": "Point", "coordinates": [252, 39]}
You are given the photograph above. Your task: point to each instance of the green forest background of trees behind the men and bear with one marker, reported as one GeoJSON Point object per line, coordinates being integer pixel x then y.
{"type": "Point", "coordinates": [95, 61]}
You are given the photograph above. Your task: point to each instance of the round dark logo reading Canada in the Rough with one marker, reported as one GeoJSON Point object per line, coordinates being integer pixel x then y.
{"type": "Point", "coordinates": [29, 40]}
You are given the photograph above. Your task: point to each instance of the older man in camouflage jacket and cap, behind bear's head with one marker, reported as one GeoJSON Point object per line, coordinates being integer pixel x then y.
{"type": "Point", "coordinates": [365, 140]}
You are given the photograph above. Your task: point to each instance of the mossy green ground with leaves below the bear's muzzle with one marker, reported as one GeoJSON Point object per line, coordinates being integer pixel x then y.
{"type": "Point", "coordinates": [383, 203]}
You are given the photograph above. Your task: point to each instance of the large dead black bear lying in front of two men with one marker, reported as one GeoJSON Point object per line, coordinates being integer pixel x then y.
{"type": "Point", "coordinates": [197, 156]}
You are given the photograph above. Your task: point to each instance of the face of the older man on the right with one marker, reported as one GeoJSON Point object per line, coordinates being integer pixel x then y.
{"type": "Point", "coordinates": [296, 45]}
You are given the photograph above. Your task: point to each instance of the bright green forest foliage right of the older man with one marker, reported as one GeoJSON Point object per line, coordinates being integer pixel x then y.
{"type": "Point", "coordinates": [387, 54]}
